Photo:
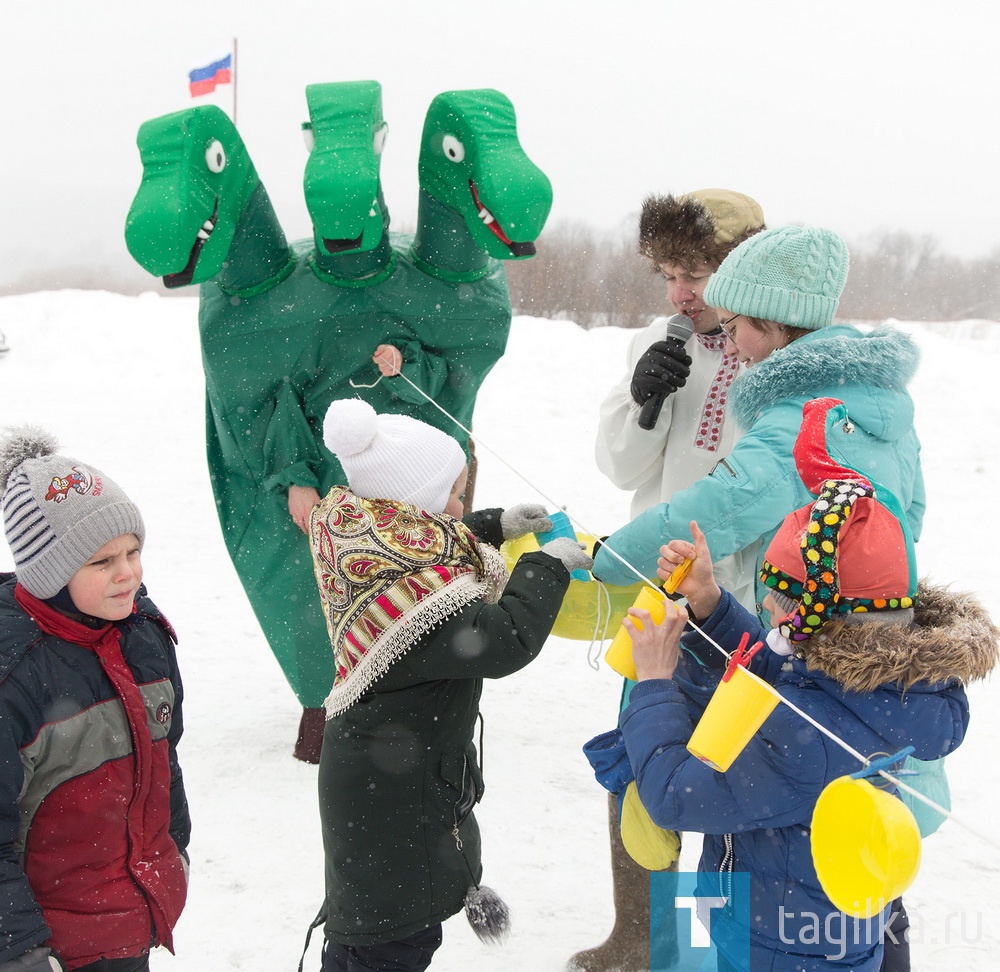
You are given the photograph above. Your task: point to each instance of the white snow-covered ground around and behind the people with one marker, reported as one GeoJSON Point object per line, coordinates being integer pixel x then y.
{"type": "Point", "coordinates": [119, 382]}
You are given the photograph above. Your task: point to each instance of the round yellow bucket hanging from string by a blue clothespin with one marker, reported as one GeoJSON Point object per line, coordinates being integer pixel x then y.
{"type": "Point", "coordinates": [865, 846]}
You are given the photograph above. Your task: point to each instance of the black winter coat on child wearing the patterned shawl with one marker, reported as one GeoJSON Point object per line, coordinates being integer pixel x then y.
{"type": "Point", "coordinates": [399, 773]}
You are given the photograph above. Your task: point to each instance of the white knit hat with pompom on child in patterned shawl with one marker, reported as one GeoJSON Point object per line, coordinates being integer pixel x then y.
{"type": "Point", "coordinates": [392, 456]}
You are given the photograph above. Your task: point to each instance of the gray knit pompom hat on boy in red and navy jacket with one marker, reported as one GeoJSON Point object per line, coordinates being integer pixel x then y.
{"type": "Point", "coordinates": [57, 512]}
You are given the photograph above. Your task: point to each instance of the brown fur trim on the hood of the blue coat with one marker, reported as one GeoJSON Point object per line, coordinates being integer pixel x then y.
{"type": "Point", "coordinates": [951, 638]}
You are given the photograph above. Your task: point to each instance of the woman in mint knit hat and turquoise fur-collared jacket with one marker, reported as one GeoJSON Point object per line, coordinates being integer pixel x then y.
{"type": "Point", "coordinates": [777, 294]}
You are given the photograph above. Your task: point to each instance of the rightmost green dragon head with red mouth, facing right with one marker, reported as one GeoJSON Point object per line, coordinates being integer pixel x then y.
{"type": "Point", "coordinates": [472, 161]}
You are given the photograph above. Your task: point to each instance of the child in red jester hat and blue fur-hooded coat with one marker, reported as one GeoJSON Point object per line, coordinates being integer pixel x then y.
{"type": "Point", "coordinates": [859, 652]}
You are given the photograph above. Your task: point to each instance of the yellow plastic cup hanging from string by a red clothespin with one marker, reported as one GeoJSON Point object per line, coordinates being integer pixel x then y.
{"type": "Point", "coordinates": [737, 709]}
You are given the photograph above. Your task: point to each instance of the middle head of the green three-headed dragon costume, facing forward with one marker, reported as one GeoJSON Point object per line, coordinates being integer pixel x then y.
{"type": "Point", "coordinates": [346, 133]}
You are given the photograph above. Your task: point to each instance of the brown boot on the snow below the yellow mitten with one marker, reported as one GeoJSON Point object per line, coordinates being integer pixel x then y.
{"type": "Point", "coordinates": [627, 947]}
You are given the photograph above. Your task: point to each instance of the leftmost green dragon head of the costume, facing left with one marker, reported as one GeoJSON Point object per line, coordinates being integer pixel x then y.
{"type": "Point", "coordinates": [197, 178]}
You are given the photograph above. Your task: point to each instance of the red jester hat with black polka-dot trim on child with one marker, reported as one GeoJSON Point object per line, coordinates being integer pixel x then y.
{"type": "Point", "coordinates": [848, 552]}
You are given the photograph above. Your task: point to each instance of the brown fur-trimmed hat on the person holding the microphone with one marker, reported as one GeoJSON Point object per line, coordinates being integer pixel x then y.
{"type": "Point", "coordinates": [700, 227]}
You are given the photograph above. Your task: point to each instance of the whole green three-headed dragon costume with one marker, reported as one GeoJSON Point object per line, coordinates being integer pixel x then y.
{"type": "Point", "coordinates": [285, 330]}
